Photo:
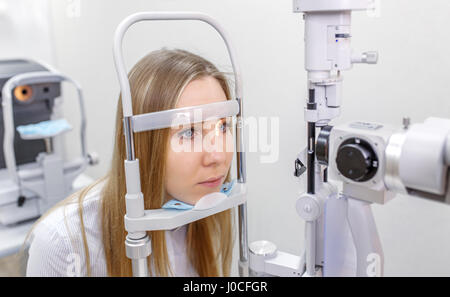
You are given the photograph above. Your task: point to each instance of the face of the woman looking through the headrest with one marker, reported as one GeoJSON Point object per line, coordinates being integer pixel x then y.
{"type": "Point", "coordinates": [201, 151]}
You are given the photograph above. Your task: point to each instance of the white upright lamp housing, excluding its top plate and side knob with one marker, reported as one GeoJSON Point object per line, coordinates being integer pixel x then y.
{"type": "Point", "coordinates": [327, 51]}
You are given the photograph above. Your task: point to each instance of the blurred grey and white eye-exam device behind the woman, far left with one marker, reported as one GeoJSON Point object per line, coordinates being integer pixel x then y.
{"type": "Point", "coordinates": [33, 173]}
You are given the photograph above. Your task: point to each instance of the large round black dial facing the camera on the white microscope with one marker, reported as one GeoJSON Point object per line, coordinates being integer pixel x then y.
{"type": "Point", "coordinates": [356, 160]}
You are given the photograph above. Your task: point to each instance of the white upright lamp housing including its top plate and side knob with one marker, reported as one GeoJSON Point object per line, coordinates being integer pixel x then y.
{"type": "Point", "coordinates": [328, 51]}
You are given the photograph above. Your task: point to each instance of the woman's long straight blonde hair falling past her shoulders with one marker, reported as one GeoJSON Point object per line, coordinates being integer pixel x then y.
{"type": "Point", "coordinates": [156, 83]}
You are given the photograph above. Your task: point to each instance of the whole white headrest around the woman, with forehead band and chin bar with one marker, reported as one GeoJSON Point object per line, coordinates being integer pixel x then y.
{"type": "Point", "coordinates": [139, 220]}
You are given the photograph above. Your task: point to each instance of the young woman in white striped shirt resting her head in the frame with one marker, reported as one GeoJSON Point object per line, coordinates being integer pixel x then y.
{"type": "Point", "coordinates": [84, 234]}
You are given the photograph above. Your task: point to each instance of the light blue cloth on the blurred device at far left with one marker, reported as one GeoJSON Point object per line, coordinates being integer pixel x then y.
{"type": "Point", "coordinates": [44, 129]}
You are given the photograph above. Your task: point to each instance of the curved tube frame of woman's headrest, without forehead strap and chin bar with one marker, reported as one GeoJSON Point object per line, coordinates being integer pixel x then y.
{"type": "Point", "coordinates": [138, 243]}
